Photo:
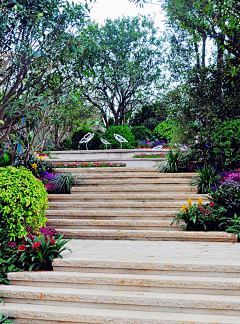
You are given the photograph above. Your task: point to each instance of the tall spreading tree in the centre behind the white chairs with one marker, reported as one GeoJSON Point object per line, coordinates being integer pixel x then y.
{"type": "Point", "coordinates": [128, 68]}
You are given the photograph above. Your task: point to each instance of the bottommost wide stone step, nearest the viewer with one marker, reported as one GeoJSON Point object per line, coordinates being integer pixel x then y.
{"type": "Point", "coordinates": [29, 314]}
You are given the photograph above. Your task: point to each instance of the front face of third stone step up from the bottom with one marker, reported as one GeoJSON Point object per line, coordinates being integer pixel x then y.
{"type": "Point", "coordinates": [157, 287]}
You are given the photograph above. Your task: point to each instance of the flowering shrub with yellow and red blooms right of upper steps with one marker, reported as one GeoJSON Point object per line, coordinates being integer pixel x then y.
{"type": "Point", "coordinates": [200, 217]}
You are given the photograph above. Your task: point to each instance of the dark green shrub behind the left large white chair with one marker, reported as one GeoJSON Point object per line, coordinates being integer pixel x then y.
{"type": "Point", "coordinates": [94, 144]}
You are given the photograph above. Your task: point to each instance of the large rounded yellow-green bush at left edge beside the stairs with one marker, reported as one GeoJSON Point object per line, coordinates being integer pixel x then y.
{"type": "Point", "coordinates": [23, 201]}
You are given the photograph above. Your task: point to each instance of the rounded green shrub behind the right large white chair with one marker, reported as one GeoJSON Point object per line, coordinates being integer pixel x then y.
{"type": "Point", "coordinates": [123, 131]}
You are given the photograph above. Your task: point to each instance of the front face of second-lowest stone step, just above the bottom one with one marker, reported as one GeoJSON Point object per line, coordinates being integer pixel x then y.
{"type": "Point", "coordinates": [142, 304]}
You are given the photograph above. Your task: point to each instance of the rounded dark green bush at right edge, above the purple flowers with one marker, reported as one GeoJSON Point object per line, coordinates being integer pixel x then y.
{"type": "Point", "coordinates": [226, 142]}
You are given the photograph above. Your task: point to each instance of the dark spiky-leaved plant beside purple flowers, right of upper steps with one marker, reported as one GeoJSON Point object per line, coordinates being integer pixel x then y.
{"type": "Point", "coordinates": [207, 178]}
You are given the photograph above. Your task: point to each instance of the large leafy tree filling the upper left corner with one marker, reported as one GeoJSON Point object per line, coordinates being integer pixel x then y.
{"type": "Point", "coordinates": [39, 41]}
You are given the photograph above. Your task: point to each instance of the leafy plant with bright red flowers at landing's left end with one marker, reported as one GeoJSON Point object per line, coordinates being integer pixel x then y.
{"type": "Point", "coordinates": [38, 254]}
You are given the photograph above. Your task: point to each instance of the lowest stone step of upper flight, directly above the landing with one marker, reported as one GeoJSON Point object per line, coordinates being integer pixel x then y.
{"type": "Point", "coordinates": [155, 235]}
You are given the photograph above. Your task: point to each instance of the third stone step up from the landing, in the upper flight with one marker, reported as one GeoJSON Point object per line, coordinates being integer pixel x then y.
{"type": "Point", "coordinates": [110, 214]}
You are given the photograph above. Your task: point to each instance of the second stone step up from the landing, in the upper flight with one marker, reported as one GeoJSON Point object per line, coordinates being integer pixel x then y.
{"type": "Point", "coordinates": [112, 224]}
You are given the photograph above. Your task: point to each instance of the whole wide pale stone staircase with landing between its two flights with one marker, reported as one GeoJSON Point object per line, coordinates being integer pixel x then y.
{"type": "Point", "coordinates": [121, 271]}
